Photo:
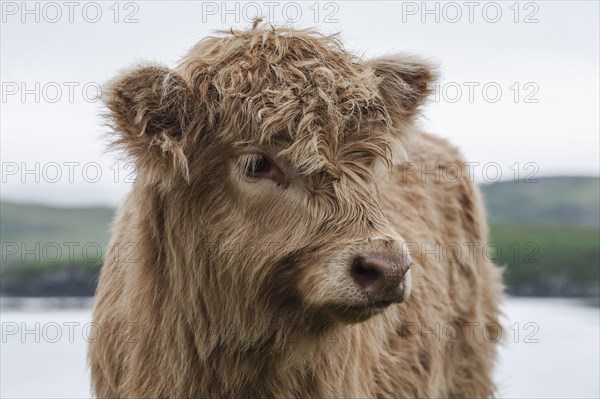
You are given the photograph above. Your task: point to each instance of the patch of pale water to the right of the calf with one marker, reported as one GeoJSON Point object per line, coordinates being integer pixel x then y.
{"type": "Point", "coordinates": [564, 363]}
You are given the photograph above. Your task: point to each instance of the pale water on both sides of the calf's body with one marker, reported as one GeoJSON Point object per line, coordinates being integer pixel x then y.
{"type": "Point", "coordinates": [552, 352]}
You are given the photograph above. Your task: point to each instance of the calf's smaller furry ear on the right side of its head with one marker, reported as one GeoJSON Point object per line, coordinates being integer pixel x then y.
{"type": "Point", "coordinates": [406, 82]}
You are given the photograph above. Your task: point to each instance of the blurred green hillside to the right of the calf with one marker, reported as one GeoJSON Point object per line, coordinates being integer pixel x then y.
{"type": "Point", "coordinates": [548, 235]}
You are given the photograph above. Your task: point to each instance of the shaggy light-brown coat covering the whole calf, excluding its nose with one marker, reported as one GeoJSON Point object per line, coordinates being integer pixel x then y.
{"type": "Point", "coordinates": [239, 284]}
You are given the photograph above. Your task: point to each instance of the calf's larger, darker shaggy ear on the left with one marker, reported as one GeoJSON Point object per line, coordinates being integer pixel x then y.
{"type": "Point", "coordinates": [151, 110]}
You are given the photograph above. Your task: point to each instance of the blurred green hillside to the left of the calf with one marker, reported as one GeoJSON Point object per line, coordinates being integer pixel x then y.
{"type": "Point", "coordinates": [51, 251]}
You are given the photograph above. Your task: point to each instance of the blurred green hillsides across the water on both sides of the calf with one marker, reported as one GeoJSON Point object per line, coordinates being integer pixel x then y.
{"type": "Point", "coordinates": [547, 234]}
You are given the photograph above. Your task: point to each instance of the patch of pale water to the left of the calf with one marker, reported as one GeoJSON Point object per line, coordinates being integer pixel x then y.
{"type": "Point", "coordinates": [46, 356]}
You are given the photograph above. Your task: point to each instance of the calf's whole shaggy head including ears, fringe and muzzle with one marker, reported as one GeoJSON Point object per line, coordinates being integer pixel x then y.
{"type": "Point", "coordinates": [263, 149]}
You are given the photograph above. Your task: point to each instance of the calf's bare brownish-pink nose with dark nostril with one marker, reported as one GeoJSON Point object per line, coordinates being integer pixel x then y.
{"type": "Point", "coordinates": [379, 275]}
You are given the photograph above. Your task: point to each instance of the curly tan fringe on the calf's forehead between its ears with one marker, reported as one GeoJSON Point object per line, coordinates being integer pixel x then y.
{"type": "Point", "coordinates": [298, 86]}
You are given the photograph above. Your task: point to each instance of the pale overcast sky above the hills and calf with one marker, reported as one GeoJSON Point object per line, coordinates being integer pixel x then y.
{"type": "Point", "coordinates": [519, 87]}
